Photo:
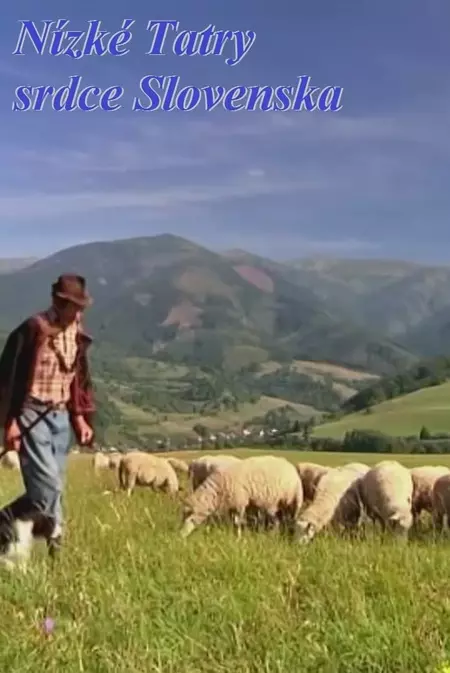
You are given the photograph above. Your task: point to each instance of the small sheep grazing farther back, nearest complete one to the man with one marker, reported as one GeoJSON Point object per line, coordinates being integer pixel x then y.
{"type": "Point", "coordinates": [144, 469]}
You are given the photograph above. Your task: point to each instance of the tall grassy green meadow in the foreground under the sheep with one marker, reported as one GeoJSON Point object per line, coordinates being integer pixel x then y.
{"type": "Point", "coordinates": [128, 595]}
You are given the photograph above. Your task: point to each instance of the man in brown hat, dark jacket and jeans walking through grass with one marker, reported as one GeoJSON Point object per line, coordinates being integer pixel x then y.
{"type": "Point", "coordinates": [45, 389]}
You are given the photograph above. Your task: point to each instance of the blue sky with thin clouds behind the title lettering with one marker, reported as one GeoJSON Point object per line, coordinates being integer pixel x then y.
{"type": "Point", "coordinates": [370, 180]}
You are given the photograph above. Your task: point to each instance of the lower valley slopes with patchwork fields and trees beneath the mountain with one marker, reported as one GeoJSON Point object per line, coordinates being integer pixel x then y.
{"type": "Point", "coordinates": [146, 398]}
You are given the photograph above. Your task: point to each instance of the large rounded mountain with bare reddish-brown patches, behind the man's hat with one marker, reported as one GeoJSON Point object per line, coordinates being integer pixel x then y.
{"type": "Point", "coordinates": [169, 298]}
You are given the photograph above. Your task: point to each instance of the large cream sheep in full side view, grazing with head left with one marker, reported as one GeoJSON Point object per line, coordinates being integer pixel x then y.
{"type": "Point", "coordinates": [266, 483]}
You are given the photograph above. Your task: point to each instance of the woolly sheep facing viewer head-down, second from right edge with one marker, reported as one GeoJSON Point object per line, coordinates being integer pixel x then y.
{"type": "Point", "coordinates": [386, 493]}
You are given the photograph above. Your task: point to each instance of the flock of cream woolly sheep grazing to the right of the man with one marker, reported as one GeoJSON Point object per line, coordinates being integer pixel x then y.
{"type": "Point", "coordinates": [303, 499]}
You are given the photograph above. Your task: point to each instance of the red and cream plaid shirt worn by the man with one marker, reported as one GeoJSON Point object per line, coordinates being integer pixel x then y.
{"type": "Point", "coordinates": [51, 381]}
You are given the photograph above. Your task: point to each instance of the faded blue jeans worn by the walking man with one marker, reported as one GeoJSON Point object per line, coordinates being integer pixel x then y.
{"type": "Point", "coordinates": [43, 461]}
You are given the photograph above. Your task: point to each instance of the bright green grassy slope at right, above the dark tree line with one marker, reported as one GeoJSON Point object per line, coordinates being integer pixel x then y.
{"type": "Point", "coordinates": [401, 416]}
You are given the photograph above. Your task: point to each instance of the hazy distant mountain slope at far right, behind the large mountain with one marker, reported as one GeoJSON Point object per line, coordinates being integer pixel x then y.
{"type": "Point", "coordinates": [405, 301]}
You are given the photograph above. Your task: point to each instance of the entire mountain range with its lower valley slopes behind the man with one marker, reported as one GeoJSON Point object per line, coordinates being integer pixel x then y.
{"type": "Point", "coordinates": [183, 332]}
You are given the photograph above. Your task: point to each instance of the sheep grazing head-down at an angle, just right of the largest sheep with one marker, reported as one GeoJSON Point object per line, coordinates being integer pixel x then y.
{"type": "Point", "coordinates": [336, 502]}
